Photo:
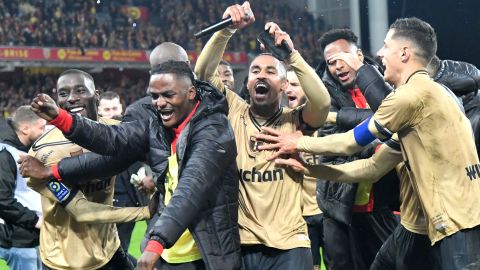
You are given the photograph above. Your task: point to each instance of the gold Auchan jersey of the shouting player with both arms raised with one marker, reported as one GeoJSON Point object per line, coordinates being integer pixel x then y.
{"type": "Point", "coordinates": [270, 199]}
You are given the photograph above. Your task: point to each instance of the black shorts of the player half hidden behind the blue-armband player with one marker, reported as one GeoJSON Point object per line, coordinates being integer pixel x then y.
{"type": "Point", "coordinates": [405, 250]}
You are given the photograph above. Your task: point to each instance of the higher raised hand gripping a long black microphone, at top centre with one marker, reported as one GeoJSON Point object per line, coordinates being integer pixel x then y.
{"type": "Point", "coordinates": [236, 15]}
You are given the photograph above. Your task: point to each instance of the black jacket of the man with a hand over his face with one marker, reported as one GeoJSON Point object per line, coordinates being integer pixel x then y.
{"type": "Point", "coordinates": [336, 199]}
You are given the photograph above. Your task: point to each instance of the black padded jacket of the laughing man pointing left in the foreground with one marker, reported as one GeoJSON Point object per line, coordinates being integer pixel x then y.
{"type": "Point", "coordinates": [206, 198]}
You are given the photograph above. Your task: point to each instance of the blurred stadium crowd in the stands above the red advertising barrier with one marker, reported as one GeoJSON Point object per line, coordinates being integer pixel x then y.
{"type": "Point", "coordinates": [104, 24]}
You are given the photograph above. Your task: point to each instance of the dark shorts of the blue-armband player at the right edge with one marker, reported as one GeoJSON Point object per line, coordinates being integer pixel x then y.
{"type": "Point", "coordinates": [460, 250]}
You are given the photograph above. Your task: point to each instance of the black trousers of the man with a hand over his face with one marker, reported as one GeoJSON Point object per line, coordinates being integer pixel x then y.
{"type": "Point", "coordinates": [355, 247]}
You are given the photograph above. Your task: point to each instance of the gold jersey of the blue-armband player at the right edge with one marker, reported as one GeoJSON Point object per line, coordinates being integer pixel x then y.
{"type": "Point", "coordinates": [439, 153]}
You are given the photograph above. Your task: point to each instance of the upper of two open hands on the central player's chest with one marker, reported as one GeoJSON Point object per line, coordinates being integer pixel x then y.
{"type": "Point", "coordinates": [283, 143]}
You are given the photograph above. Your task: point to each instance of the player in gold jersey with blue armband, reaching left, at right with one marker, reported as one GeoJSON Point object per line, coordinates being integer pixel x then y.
{"type": "Point", "coordinates": [436, 138]}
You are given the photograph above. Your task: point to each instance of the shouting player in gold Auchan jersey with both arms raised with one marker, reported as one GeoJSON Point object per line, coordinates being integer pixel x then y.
{"type": "Point", "coordinates": [272, 230]}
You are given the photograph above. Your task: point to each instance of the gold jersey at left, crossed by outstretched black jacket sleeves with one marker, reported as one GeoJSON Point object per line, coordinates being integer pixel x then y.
{"type": "Point", "coordinates": [64, 242]}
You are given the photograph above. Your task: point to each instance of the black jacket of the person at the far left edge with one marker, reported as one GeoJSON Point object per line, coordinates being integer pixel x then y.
{"type": "Point", "coordinates": [19, 228]}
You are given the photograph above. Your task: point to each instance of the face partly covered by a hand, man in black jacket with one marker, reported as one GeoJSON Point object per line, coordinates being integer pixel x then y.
{"type": "Point", "coordinates": [339, 70]}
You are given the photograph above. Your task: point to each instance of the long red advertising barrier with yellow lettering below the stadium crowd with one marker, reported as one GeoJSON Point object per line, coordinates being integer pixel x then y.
{"type": "Point", "coordinates": [95, 55]}
